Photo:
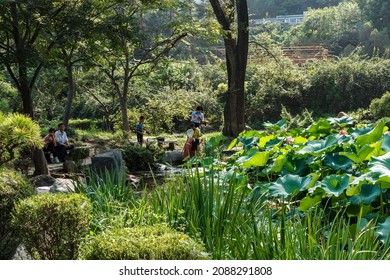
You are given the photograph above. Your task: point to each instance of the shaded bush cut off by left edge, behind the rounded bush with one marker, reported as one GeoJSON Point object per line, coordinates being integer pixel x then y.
{"type": "Point", "coordinates": [13, 187]}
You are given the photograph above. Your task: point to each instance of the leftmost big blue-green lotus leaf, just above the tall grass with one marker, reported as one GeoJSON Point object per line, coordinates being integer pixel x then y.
{"type": "Point", "coordinates": [289, 185]}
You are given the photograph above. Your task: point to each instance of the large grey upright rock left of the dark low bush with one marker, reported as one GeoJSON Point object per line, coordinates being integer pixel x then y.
{"type": "Point", "coordinates": [108, 162]}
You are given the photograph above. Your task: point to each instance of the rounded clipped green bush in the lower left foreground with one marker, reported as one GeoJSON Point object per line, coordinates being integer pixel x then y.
{"type": "Point", "coordinates": [51, 226]}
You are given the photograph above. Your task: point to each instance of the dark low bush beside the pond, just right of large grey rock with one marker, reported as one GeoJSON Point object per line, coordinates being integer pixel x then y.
{"type": "Point", "coordinates": [139, 158]}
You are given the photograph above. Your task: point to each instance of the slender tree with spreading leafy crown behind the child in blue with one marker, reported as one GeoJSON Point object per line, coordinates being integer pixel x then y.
{"type": "Point", "coordinates": [128, 52]}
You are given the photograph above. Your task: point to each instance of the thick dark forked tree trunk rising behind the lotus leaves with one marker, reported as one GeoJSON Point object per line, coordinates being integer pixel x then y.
{"type": "Point", "coordinates": [232, 15]}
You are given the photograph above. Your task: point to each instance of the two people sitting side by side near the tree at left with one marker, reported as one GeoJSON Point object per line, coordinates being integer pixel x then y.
{"type": "Point", "coordinates": [56, 145]}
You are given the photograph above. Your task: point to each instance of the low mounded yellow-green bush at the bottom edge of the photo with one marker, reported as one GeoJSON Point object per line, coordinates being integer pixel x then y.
{"type": "Point", "coordinates": [156, 242]}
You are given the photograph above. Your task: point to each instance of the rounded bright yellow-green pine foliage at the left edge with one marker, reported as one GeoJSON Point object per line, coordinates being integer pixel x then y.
{"type": "Point", "coordinates": [17, 133]}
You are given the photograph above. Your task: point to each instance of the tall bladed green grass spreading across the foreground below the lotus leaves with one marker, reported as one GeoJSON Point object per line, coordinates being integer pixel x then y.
{"type": "Point", "coordinates": [233, 221]}
